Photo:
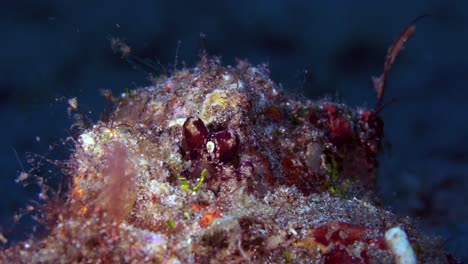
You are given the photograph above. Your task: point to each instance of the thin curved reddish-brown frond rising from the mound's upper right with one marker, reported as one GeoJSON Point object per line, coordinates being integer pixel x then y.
{"type": "Point", "coordinates": [380, 83]}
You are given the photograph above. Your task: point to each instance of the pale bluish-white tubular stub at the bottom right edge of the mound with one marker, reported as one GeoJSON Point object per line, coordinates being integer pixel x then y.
{"type": "Point", "coordinates": [397, 241]}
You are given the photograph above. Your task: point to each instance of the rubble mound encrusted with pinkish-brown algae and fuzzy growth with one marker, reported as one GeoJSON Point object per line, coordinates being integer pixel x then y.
{"type": "Point", "coordinates": [217, 164]}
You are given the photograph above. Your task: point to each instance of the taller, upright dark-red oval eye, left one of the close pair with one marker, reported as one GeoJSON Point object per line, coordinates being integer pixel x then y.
{"type": "Point", "coordinates": [194, 136]}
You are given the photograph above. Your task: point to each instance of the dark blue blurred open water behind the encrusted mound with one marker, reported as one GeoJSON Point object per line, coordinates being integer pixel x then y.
{"type": "Point", "coordinates": [54, 50]}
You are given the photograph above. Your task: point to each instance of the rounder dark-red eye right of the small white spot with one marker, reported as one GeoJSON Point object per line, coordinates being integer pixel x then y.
{"type": "Point", "coordinates": [226, 145]}
